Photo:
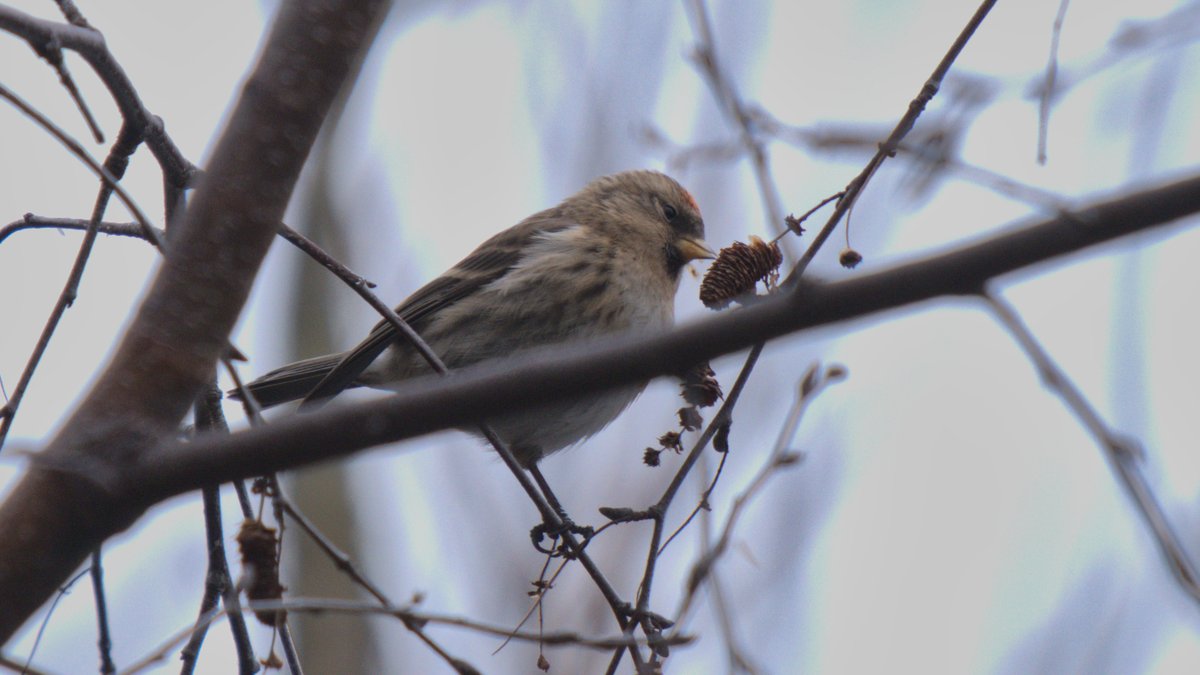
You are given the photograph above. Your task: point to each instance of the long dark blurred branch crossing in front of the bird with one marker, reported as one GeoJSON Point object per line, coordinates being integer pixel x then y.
{"type": "Point", "coordinates": [464, 397]}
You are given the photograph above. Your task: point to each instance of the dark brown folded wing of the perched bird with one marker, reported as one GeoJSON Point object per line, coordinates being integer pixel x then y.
{"type": "Point", "coordinates": [491, 261]}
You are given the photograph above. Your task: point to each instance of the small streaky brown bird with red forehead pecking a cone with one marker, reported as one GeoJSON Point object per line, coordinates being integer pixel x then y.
{"type": "Point", "coordinates": [605, 261]}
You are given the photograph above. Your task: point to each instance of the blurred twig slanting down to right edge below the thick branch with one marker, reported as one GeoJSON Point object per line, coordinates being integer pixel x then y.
{"type": "Point", "coordinates": [1123, 453]}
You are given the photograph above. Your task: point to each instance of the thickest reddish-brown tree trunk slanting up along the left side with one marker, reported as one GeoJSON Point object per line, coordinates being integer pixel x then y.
{"type": "Point", "coordinates": [62, 509]}
